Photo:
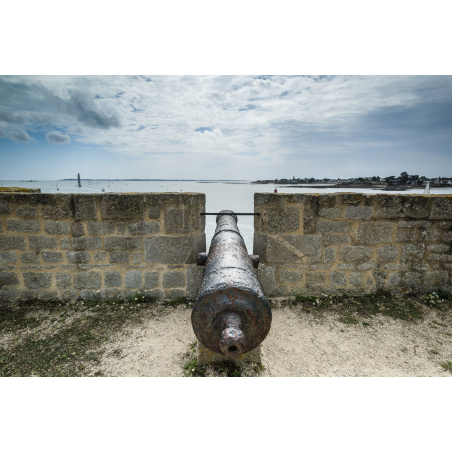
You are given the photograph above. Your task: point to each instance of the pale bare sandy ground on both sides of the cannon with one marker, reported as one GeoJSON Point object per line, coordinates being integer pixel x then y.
{"type": "Point", "coordinates": [298, 345]}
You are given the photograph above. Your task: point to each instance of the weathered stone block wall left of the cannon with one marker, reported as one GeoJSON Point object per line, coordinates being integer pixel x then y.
{"type": "Point", "coordinates": [70, 246]}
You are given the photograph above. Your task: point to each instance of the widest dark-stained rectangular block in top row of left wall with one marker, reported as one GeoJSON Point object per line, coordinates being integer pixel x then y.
{"type": "Point", "coordinates": [122, 206]}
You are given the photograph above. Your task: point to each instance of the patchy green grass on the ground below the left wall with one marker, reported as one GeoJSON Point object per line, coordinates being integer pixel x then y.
{"type": "Point", "coordinates": [72, 340]}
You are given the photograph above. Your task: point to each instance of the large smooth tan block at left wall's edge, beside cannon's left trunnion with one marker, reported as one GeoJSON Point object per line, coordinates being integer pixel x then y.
{"type": "Point", "coordinates": [174, 250]}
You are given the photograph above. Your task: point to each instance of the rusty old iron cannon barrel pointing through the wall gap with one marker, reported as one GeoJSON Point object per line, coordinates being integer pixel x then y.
{"type": "Point", "coordinates": [231, 315]}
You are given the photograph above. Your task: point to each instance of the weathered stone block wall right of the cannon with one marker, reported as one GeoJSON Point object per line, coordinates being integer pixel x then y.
{"type": "Point", "coordinates": [355, 243]}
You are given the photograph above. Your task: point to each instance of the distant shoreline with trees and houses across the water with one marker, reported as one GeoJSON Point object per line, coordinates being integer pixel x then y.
{"type": "Point", "coordinates": [404, 180]}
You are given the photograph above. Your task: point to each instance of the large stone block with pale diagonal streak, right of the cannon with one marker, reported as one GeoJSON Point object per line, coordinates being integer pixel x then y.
{"type": "Point", "coordinates": [288, 248]}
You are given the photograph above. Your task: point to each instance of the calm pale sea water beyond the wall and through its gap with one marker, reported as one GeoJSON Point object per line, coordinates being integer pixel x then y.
{"type": "Point", "coordinates": [238, 197]}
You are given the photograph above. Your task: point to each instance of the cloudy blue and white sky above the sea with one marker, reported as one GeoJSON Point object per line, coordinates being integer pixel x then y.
{"type": "Point", "coordinates": [224, 127]}
